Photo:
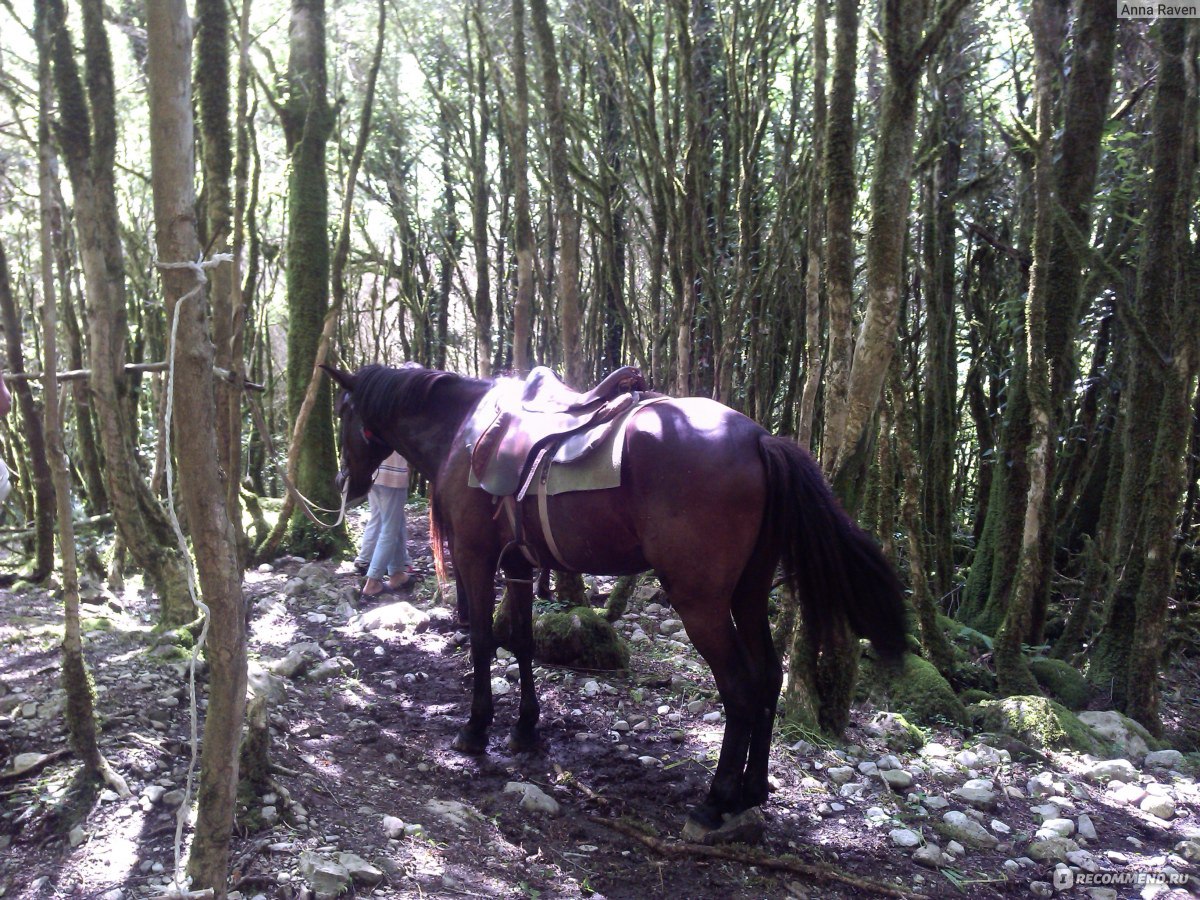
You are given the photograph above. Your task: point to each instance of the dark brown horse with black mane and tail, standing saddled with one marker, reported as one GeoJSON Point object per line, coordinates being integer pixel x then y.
{"type": "Point", "coordinates": [709, 501]}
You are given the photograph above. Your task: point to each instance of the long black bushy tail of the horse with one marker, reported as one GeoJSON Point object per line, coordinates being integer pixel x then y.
{"type": "Point", "coordinates": [833, 567]}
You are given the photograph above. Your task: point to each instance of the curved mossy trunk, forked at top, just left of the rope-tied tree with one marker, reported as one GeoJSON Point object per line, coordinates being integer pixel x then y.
{"type": "Point", "coordinates": [88, 137]}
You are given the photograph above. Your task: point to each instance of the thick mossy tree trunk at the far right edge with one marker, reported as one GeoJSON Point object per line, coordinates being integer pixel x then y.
{"type": "Point", "coordinates": [1165, 365]}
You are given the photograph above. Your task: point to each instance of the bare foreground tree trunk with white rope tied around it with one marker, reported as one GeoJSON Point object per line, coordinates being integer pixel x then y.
{"type": "Point", "coordinates": [170, 38]}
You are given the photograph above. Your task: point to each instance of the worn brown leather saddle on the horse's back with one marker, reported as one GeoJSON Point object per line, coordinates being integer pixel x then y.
{"type": "Point", "coordinates": [518, 423]}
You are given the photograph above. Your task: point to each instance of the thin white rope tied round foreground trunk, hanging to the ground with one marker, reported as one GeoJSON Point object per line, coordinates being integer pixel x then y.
{"type": "Point", "coordinates": [179, 883]}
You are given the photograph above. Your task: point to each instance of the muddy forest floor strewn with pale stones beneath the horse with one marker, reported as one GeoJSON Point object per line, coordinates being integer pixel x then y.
{"type": "Point", "coordinates": [371, 800]}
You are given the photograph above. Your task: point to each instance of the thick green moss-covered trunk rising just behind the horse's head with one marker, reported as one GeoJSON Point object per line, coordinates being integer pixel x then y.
{"type": "Point", "coordinates": [308, 125]}
